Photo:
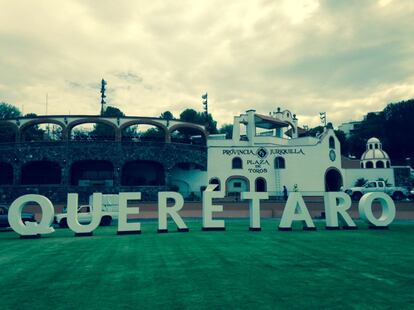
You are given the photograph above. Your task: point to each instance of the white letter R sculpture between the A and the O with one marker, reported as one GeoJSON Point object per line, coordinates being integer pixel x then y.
{"type": "Point", "coordinates": [337, 203]}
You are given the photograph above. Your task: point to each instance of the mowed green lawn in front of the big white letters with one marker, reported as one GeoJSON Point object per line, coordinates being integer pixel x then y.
{"type": "Point", "coordinates": [362, 269]}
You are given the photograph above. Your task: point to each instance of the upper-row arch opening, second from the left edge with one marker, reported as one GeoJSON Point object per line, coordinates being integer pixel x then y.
{"type": "Point", "coordinates": [28, 131]}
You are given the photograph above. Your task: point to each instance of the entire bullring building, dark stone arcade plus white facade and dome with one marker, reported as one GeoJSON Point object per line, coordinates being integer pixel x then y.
{"type": "Point", "coordinates": [54, 155]}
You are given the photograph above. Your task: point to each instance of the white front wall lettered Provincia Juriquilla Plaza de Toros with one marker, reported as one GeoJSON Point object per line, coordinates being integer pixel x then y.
{"type": "Point", "coordinates": [306, 170]}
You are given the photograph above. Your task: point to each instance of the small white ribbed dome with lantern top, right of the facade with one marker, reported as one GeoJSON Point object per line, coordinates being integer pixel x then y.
{"type": "Point", "coordinates": [374, 156]}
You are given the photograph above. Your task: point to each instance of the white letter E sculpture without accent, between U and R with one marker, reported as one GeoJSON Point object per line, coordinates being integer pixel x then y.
{"type": "Point", "coordinates": [123, 226]}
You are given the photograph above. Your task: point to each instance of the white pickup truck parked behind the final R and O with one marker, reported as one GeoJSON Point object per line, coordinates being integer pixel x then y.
{"type": "Point", "coordinates": [397, 193]}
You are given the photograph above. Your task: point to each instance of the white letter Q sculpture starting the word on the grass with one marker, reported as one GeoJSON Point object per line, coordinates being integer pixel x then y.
{"type": "Point", "coordinates": [31, 229]}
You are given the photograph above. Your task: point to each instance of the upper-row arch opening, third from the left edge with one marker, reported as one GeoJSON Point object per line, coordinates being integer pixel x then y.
{"type": "Point", "coordinates": [101, 133]}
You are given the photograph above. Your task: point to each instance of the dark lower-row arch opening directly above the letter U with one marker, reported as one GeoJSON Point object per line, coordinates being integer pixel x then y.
{"type": "Point", "coordinates": [92, 173]}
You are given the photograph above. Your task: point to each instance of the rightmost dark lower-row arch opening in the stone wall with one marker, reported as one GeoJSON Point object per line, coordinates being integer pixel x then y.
{"type": "Point", "coordinates": [143, 173]}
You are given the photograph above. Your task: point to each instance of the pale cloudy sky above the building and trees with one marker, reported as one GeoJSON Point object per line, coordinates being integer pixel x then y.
{"type": "Point", "coordinates": [343, 57]}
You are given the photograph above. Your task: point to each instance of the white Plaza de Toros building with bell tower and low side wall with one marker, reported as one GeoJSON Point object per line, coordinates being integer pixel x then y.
{"type": "Point", "coordinates": [267, 160]}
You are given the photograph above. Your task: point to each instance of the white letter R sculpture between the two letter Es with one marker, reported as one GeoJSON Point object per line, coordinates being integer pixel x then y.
{"type": "Point", "coordinates": [164, 211]}
